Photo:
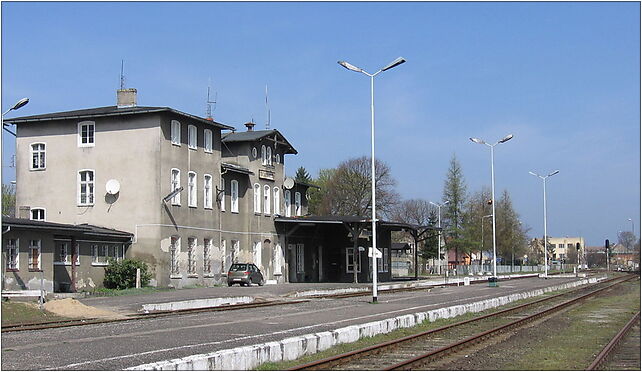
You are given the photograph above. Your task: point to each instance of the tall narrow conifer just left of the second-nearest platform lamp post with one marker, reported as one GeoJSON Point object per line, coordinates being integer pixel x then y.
{"type": "Point", "coordinates": [452, 221]}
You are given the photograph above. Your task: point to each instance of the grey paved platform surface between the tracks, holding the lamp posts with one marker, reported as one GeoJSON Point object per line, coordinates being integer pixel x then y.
{"type": "Point", "coordinates": [115, 346]}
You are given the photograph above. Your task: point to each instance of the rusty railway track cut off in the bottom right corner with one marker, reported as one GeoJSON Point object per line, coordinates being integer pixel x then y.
{"type": "Point", "coordinates": [623, 351]}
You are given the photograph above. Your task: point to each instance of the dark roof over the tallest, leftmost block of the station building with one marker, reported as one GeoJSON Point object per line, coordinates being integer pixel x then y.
{"type": "Point", "coordinates": [108, 111]}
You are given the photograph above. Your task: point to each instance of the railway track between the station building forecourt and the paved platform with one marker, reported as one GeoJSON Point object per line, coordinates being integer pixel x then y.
{"type": "Point", "coordinates": [134, 317]}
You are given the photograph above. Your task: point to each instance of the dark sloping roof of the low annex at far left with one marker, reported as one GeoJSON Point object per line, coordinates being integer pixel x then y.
{"type": "Point", "coordinates": [82, 229]}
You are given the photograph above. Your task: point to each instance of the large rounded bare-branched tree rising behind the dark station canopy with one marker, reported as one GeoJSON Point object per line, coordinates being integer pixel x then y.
{"type": "Point", "coordinates": [348, 189]}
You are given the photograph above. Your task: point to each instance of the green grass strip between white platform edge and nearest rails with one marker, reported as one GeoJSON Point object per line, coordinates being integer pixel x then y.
{"type": "Point", "coordinates": [378, 339]}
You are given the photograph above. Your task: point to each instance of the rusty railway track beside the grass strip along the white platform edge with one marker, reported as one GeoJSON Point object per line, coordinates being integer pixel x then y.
{"type": "Point", "coordinates": [416, 351]}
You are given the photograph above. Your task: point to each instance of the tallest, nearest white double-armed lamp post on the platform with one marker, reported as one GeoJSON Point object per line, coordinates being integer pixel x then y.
{"type": "Point", "coordinates": [350, 67]}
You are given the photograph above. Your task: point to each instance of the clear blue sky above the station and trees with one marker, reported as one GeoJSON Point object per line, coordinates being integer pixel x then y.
{"type": "Point", "coordinates": [562, 77]}
